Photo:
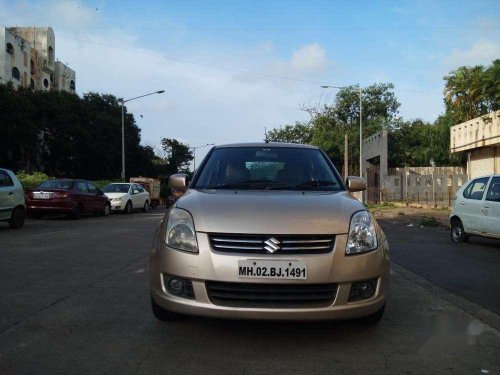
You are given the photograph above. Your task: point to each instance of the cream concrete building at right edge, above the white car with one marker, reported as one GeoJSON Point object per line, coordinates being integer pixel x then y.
{"type": "Point", "coordinates": [480, 139]}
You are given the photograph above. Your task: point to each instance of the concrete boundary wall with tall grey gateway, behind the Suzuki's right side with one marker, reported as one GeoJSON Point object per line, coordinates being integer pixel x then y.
{"type": "Point", "coordinates": [414, 184]}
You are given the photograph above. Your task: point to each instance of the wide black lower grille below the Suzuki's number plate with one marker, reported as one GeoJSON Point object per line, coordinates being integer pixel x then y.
{"type": "Point", "coordinates": [271, 295]}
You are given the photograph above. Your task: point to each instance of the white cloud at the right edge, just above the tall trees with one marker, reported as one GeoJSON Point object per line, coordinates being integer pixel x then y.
{"type": "Point", "coordinates": [482, 52]}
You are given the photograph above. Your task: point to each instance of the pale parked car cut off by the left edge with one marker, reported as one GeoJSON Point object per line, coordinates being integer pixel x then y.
{"type": "Point", "coordinates": [12, 205]}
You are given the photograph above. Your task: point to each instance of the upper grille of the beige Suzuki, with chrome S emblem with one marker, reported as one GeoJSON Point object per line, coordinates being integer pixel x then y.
{"type": "Point", "coordinates": [272, 244]}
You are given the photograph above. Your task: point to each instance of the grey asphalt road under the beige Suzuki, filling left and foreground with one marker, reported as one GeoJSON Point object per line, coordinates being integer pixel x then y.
{"type": "Point", "coordinates": [74, 299]}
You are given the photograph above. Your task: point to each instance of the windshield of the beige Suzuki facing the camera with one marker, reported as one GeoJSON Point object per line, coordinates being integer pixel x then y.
{"type": "Point", "coordinates": [265, 168]}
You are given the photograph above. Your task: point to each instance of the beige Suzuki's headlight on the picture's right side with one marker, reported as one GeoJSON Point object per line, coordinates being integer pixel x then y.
{"type": "Point", "coordinates": [362, 234]}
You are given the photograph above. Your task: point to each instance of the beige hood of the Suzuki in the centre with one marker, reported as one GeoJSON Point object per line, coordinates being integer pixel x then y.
{"type": "Point", "coordinates": [270, 212]}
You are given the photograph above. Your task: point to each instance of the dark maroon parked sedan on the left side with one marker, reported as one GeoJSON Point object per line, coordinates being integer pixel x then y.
{"type": "Point", "coordinates": [67, 196]}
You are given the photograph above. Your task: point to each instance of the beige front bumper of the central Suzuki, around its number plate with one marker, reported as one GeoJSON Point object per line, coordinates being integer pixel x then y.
{"type": "Point", "coordinates": [332, 268]}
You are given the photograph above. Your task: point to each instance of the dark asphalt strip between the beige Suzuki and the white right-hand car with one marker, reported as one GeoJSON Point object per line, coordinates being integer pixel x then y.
{"type": "Point", "coordinates": [471, 270]}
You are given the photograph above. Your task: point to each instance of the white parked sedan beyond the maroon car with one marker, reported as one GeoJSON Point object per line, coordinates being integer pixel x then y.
{"type": "Point", "coordinates": [126, 197]}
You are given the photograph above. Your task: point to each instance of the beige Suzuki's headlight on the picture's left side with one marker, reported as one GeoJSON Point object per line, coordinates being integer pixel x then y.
{"type": "Point", "coordinates": [180, 233]}
